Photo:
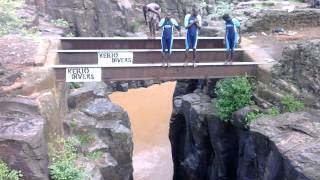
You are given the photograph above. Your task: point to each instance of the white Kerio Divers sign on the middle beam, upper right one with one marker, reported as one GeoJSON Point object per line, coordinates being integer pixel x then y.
{"type": "Point", "coordinates": [114, 58]}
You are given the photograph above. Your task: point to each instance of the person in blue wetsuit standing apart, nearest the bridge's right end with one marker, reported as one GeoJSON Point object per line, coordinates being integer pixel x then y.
{"type": "Point", "coordinates": [232, 36]}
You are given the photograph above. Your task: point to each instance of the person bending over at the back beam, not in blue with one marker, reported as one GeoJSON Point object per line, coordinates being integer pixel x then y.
{"type": "Point", "coordinates": [151, 13]}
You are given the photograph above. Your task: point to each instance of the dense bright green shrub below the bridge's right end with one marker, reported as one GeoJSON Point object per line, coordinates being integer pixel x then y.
{"type": "Point", "coordinates": [232, 94]}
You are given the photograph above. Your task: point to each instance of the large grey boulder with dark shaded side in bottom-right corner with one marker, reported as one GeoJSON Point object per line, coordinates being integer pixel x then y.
{"type": "Point", "coordinates": [283, 147]}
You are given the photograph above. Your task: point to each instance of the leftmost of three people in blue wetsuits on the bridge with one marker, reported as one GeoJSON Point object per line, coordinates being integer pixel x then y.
{"type": "Point", "coordinates": [167, 24]}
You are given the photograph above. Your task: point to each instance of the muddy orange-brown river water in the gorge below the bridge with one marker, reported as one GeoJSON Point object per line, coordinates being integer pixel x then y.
{"type": "Point", "coordinates": [149, 110]}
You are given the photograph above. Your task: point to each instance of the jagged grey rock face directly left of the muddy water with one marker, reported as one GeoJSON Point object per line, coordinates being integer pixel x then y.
{"type": "Point", "coordinates": [93, 115]}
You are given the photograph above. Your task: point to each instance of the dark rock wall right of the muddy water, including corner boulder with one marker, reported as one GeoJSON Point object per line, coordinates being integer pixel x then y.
{"type": "Point", "coordinates": [204, 147]}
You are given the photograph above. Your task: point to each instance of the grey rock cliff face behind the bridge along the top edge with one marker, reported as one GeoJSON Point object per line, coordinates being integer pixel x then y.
{"type": "Point", "coordinates": [112, 17]}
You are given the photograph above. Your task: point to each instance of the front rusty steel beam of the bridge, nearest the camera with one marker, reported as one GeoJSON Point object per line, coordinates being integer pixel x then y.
{"type": "Point", "coordinates": [156, 71]}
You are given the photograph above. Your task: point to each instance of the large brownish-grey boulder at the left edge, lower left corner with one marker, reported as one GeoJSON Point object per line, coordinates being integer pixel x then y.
{"type": "Point", "coordinates": [22, 138]}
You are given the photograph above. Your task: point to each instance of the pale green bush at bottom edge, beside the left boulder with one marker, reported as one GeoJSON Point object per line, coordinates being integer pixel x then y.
{"type": "Point", "coordinates": [63, 159]}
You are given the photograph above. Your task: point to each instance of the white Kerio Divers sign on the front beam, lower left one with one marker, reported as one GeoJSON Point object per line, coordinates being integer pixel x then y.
{"type": "Point", "coordinates": [83, 74]}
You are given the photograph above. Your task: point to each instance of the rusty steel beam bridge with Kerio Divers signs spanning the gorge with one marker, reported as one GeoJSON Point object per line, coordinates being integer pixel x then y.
{"type": "Point", "coordinates": [111, 59]}
